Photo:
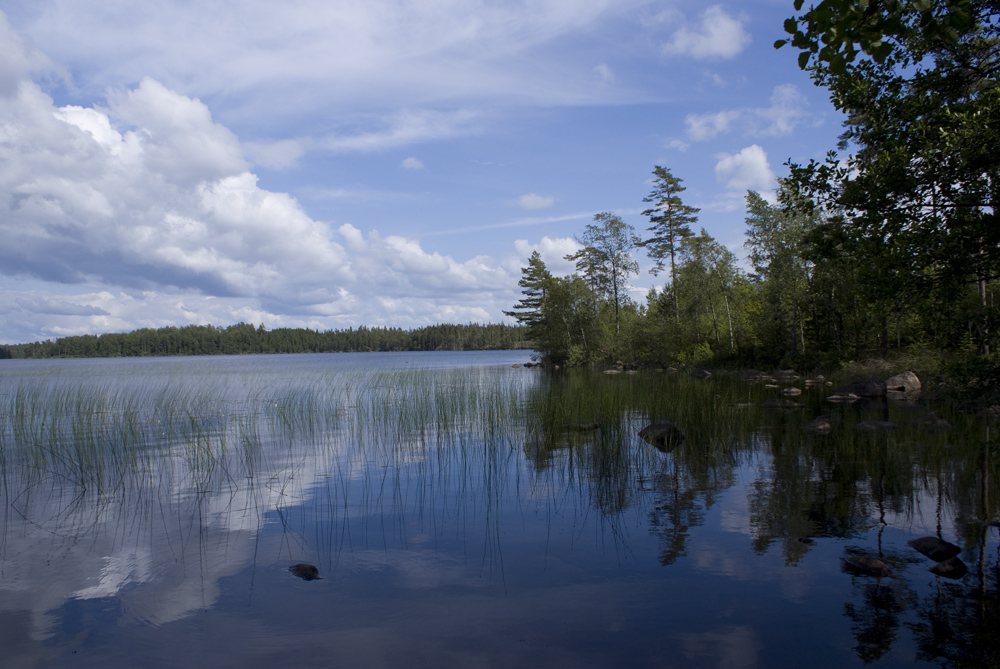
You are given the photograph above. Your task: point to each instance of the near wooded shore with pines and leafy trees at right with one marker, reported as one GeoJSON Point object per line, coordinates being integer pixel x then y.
{"type": "Point", "coordinates": [888, 246]}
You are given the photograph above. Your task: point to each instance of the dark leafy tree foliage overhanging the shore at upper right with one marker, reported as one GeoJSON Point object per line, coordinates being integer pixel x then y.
{"type": "Point", "coordinates": [915, 203]}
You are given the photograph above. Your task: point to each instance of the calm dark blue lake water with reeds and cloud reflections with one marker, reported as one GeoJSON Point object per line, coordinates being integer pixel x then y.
{"type": "Point", "coordinates": [462, 512]}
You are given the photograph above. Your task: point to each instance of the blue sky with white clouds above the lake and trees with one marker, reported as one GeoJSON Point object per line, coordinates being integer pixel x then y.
{"type": "Point", "coordinates": [331, 164]}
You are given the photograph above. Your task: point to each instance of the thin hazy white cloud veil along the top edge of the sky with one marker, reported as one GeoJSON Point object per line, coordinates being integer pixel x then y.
{"type": "Point", "coordinates": [311, 56]}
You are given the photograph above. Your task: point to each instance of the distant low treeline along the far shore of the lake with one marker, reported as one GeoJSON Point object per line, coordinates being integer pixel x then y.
{"type": "Point", "coordinates": [244, 338]}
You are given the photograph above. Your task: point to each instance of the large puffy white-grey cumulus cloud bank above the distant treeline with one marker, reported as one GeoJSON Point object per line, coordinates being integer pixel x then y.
{"type": "Point", "coordinates": [145, 212]}
